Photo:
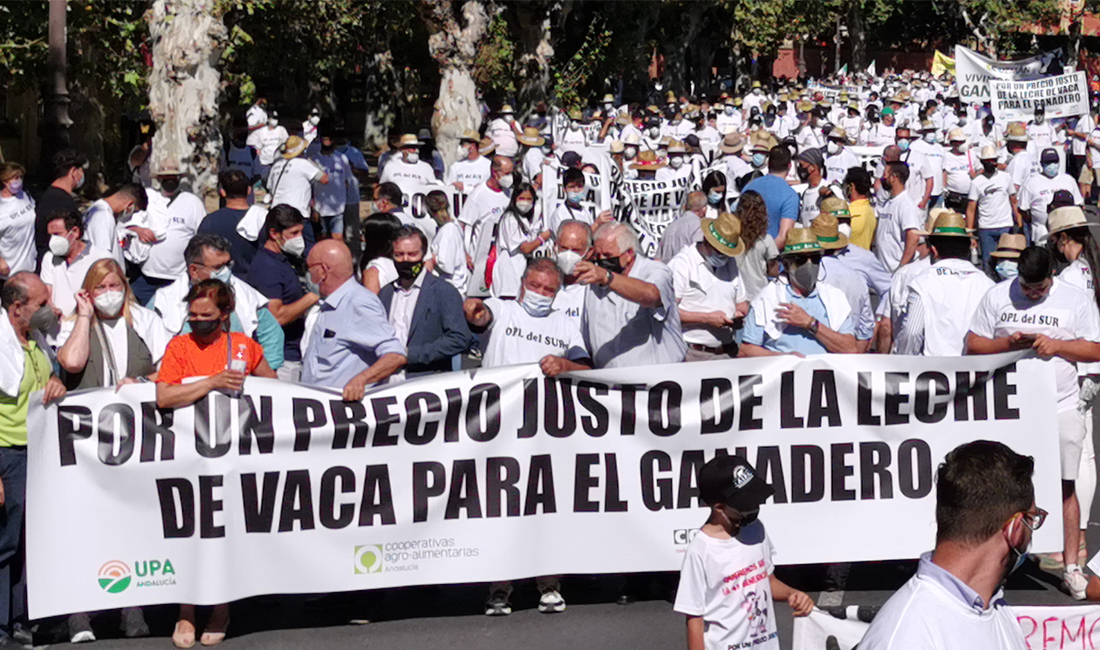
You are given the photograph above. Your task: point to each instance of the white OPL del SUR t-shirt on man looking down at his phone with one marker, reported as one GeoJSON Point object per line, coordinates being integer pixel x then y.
{"type": "Point", "coordinates": [1066, 314]}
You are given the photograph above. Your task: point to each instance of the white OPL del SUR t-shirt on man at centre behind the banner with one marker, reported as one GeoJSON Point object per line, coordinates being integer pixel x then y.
{"type": "Point", "coordinates": [516, 337]}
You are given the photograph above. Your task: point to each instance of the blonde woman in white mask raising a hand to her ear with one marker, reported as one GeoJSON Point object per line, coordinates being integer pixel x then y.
{"type": "Point", "coordinates": [111, 340]}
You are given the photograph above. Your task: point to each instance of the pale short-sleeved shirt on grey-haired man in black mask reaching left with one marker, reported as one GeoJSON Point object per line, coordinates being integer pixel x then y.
{"type": "Point", "coordinates": [622, 334]}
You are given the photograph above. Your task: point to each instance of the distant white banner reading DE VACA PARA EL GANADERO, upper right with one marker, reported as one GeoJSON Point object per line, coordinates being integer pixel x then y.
{"type": "Point", "coordinates": [1062, 96]}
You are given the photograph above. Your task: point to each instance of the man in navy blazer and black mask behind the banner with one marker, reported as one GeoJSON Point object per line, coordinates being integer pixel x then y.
{"type": "Point", "coordinates": [425, 311]}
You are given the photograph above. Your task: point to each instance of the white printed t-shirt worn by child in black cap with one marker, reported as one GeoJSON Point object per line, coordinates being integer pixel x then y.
{"type": "Point", "coordinates": [727, 582]}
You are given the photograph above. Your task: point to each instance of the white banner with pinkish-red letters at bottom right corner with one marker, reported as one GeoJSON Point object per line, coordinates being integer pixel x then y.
{"type": "Point", "coordinates": [1072, 627]}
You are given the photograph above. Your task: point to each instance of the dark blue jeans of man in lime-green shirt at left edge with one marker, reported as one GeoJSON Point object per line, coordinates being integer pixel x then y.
{"type": "Point", "coordinates": [13, 555]}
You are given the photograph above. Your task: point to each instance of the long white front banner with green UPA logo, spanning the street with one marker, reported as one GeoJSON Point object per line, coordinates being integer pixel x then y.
{"type": "Point", "coordinates": [291, 490]}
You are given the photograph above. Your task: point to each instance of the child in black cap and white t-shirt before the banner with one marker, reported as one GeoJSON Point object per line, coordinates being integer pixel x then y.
{"type": "Point", "coordinates": [728, 583]}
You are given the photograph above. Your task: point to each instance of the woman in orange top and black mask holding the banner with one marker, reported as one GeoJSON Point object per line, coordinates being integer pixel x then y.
{"type": "Point", "coordinates": [225, 360]}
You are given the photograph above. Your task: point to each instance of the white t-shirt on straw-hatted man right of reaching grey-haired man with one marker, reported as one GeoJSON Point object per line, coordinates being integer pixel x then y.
{"type": "Point", "coordinates": [701, 288]}
